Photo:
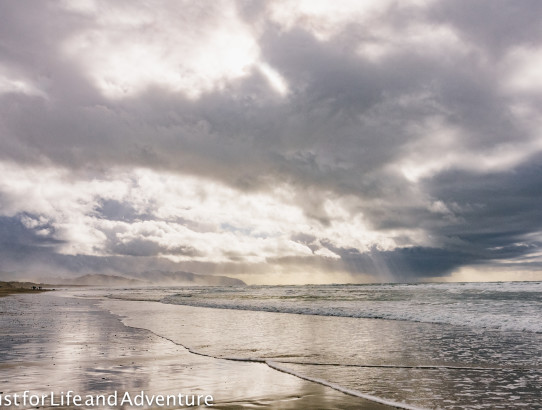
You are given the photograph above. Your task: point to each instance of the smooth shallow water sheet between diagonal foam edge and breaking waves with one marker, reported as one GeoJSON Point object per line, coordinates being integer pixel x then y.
{"type": "Point", "coordinates": [412, 364]}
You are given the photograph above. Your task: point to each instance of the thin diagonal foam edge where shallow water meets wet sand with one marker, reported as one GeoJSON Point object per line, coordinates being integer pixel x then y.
{"type": "Point", "coordinates": [275, 366]}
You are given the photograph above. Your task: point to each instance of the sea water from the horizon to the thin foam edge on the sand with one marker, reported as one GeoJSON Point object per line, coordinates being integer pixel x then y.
{"type": "Point", "coordinates": [449, 345]}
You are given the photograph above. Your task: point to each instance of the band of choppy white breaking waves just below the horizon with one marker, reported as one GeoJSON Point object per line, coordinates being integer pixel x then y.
{"type": "Point", "coordinates": [496, 306]}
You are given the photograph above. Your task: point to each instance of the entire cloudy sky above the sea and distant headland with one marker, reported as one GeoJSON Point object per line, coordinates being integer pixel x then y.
{"type": "Point", "coordinates": [279, 142]}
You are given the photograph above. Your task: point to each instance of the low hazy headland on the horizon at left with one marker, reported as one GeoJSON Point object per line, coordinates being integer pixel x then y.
{"type": "Point", "coordinates": [178, 278]}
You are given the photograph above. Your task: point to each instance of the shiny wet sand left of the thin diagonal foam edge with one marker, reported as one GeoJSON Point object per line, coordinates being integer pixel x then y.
{"type": "Point", "coordinates": [54, 343]}
